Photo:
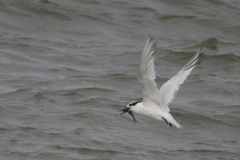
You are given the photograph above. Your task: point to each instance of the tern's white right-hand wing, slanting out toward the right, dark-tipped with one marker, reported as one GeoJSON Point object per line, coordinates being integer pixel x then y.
{"type": "Point", "coordinates": [170, 88]}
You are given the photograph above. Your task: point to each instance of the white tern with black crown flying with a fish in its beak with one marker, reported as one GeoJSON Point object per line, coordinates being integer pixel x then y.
{"type": "Point", "coordinates": [155, 101]}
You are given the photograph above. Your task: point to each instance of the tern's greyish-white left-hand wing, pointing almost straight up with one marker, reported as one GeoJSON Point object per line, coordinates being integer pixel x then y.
{"type": "Point", "coordinates": [146, 73]}
